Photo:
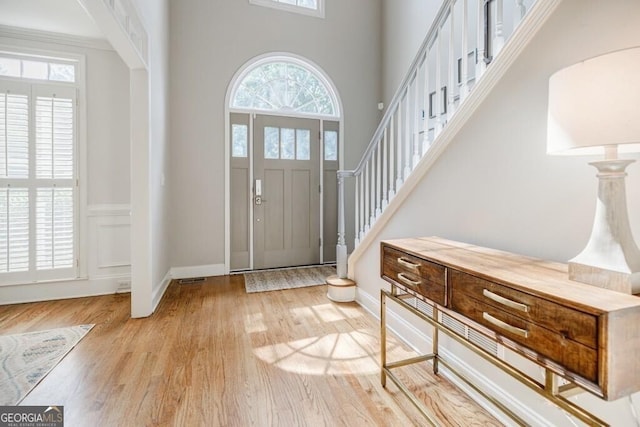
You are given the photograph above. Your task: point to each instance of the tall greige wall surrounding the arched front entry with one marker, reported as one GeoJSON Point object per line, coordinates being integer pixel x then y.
{"type": "Point", "coordinates": [210, 41]}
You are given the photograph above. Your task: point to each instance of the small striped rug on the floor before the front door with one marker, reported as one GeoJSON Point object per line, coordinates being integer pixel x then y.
{"type": "Point", "coordinates": [274, 280]}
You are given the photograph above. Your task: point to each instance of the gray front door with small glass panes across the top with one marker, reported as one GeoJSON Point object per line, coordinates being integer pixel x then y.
{"type": "Point", "coordinates": [286, 203]}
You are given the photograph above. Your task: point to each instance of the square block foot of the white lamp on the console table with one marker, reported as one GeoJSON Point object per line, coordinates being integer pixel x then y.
{"type": "Point", "coordinates": [628, 283]}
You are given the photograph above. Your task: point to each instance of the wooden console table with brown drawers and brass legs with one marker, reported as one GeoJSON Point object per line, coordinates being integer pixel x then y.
{"type": "Point", "coordinates": [586, 335]}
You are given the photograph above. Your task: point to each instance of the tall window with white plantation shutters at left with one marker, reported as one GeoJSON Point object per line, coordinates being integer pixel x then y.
{"type": "Point", "coordinates": [38, 170]}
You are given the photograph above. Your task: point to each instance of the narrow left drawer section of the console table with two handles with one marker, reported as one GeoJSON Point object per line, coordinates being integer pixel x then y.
{"type": "Point", "coordinates": [416, 274]}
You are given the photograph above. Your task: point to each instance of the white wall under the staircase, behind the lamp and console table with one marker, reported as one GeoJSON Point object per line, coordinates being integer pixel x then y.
{"type": "Point", "coordinates": [495, 186]}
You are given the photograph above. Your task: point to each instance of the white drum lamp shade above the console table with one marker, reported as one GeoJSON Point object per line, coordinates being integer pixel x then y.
{"type": "Point", "coordinates": [596, 103]}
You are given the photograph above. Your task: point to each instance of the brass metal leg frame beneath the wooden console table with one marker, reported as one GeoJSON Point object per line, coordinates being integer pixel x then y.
{"type": "Point", "coordinates": [550, 390]}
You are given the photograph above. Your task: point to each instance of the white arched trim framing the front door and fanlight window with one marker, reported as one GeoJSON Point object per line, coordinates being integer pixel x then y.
{"type": "Point", "coordinates": [236, 80]}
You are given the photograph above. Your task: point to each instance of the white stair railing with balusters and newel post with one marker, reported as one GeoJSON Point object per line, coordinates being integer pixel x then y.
{"type": "Point", "coordinates": [463, 40]}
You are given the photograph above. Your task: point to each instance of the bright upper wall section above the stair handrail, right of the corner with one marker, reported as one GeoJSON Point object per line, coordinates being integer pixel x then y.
{"type": "Point", "coordinates": [405, 25]}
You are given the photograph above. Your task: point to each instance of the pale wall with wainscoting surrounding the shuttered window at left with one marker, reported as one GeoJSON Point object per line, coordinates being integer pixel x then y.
{"type": "Point", "coordinates": [104, 242]}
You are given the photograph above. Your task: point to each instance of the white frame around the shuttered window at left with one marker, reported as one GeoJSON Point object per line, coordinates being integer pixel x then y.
{"type": "Point", "coordinates": [80, 269]}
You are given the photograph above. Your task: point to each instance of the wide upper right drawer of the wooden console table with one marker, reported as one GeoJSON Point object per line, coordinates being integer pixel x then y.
{"type": "Point", "coordinates": [567, 322]}
